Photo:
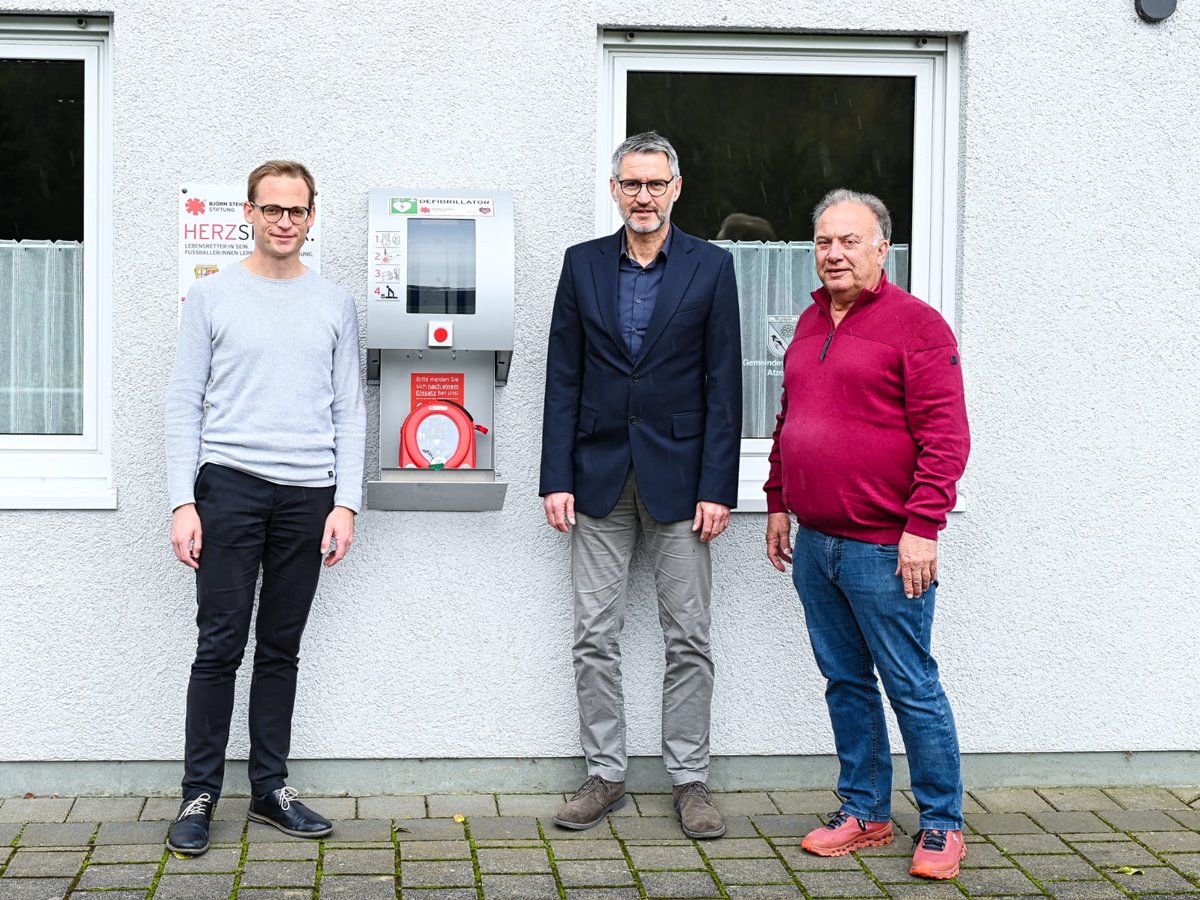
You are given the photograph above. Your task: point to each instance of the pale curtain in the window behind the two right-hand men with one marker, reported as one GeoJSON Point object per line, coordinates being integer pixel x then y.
{"type": "Point", "coordinates": [775, 283]}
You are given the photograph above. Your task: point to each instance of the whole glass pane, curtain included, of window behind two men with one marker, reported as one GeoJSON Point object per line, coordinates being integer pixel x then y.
{"type": "Point", "coordinates": [757, 154]}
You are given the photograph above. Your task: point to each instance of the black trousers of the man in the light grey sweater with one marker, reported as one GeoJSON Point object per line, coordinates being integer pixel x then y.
{"type": "Point", "coordinates": [250, 525]}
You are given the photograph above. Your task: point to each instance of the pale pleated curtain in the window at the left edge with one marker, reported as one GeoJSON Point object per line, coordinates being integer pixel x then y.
{"type": "Point", "coordinates": [41, 338]}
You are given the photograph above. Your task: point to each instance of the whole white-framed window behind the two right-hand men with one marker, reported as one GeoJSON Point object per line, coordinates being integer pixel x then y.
{"type": "Point", "coordinates": [765, 125]}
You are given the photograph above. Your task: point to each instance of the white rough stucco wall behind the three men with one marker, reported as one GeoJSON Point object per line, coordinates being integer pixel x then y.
{"type": "Point", "coordinates": [1069, 613]}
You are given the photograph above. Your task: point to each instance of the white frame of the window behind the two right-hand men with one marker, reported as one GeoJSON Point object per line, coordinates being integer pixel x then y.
{"type": "Point", "coordinates": [933, 62]}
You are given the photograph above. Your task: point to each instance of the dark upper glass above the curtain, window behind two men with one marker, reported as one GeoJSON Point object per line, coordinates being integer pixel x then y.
{"type": "Point", "coordinates": [771, 146]}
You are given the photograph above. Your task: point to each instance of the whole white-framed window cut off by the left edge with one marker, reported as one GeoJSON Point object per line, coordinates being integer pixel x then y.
{"type": "Point", "coordinates": [55, 265]}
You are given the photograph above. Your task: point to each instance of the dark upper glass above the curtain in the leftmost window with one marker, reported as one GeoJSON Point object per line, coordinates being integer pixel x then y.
{"type": "Point", "coordinates": [41, 149]}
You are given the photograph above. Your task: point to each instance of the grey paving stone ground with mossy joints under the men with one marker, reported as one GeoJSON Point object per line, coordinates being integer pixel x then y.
{"type": "Point", "coordinates": [1067, 843]}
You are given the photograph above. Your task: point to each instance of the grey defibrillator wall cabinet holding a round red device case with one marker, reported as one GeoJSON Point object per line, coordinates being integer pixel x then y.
{"type": "Point", "coordinates": [441, 292]}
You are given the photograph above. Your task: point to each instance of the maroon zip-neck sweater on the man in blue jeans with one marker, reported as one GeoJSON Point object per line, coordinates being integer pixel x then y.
{"type": "Point", "coordinates": [872, 436]}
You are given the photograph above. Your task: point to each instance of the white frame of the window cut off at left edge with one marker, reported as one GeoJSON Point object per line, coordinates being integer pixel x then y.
{"type": "Point", "coordinates": [75, 471]}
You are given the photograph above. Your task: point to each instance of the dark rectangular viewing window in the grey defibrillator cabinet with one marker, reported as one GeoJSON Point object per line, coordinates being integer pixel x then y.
{"type": "Point", "coordinates": [442, 267]}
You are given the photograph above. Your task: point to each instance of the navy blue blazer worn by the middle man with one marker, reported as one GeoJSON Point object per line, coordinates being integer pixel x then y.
{"type": "Point", "coordinates": [676, 415]}
